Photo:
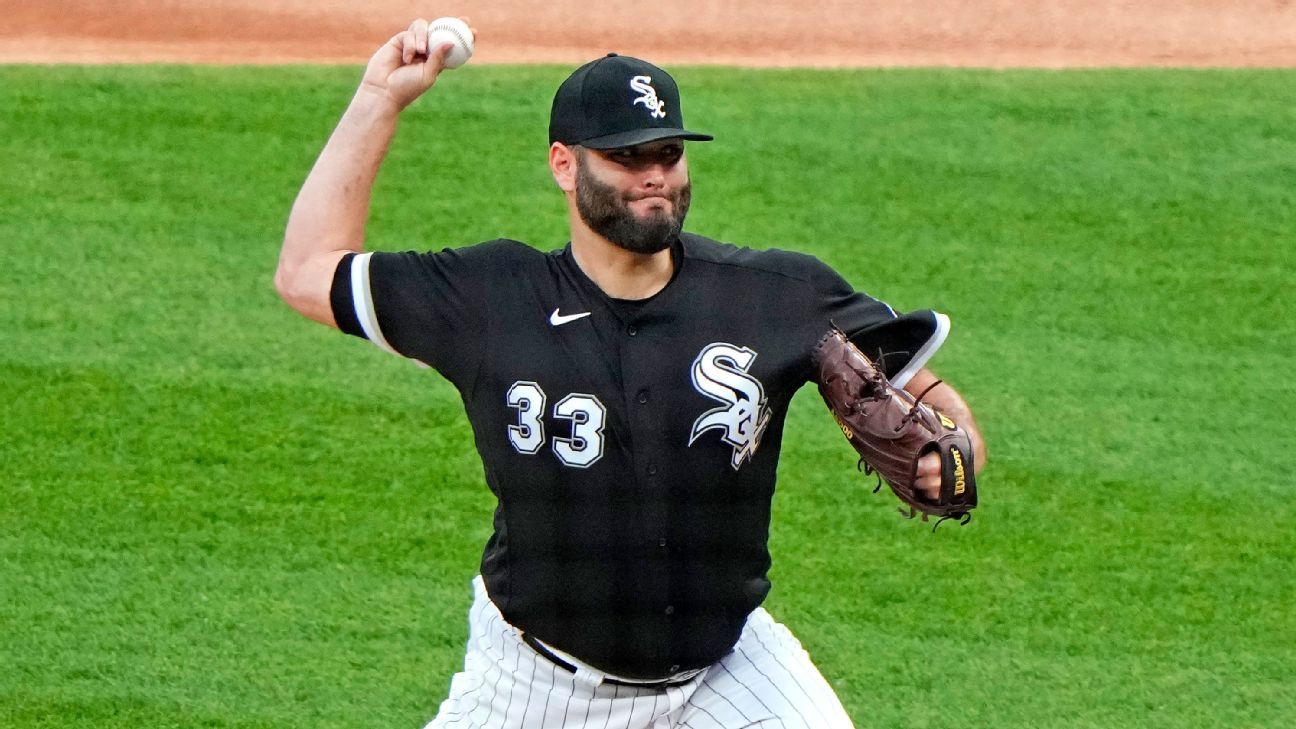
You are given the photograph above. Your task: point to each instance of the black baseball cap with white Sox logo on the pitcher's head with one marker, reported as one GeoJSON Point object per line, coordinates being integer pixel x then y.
{"type": "Point", "coordinates": [619, 102]}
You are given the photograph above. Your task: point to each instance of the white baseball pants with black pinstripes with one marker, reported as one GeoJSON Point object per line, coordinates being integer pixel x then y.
{"type": "Point", "coordinates": [768, 682]}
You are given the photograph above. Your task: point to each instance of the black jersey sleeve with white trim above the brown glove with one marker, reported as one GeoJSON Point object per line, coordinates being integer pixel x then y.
{"type": "Point", "coordinates": [901, 343]}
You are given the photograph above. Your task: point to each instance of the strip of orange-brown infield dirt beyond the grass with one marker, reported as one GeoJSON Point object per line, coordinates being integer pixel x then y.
{"type": "Point", "coordinates": [783, 33]}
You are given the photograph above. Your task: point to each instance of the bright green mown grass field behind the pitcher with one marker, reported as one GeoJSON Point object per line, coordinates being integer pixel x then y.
{"type": "Point", "coordinates": [216, 514]}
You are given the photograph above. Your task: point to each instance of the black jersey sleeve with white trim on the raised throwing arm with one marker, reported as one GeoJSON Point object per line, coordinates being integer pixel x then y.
{"type": "Point", "coordinates": [427, 307]}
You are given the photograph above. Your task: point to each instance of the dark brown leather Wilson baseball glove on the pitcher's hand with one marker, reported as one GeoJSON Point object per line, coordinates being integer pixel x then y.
{"type": "Point", "coordinates": [892, 430]}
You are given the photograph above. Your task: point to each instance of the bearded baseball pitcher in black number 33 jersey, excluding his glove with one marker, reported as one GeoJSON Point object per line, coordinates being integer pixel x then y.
{"type": "Point", "coordinates": [628, 395]}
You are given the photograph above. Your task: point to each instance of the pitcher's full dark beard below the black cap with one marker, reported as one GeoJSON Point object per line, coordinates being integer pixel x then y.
{"type": "Point", "coordinates": [608, 213]}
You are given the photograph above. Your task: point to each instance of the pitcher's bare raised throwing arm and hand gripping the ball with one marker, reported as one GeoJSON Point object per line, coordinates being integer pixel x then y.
{"type": "Point", "coordinates": [329, 219]}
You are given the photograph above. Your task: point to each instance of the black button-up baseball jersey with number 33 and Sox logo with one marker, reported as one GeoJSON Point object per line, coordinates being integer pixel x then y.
{"type": "Point", "coordinates": [633, 446]}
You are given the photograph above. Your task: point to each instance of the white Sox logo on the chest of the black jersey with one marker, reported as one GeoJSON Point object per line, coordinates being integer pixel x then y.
{"type": "Point", "coordinates": [721, 373]}
